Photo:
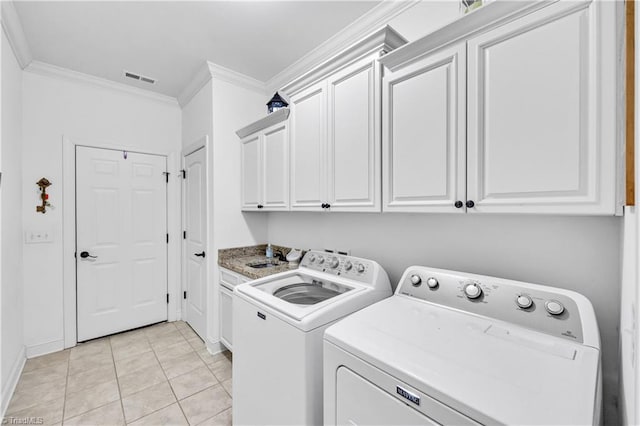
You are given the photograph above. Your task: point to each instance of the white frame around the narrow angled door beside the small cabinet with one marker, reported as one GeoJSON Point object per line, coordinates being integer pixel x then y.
{"type": "Point", "coordinates": [201, 143]}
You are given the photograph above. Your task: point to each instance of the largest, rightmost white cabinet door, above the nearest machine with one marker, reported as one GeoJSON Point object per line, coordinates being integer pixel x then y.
{"type": "Point", "coordinates": [541, 101]}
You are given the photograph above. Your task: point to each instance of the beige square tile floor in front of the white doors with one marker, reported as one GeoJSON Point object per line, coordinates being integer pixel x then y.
{"type": "Point", "coordinates": [158, 375]}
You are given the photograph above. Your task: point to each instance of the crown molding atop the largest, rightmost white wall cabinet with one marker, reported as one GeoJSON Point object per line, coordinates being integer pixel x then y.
{"type": "Point", "coordinates": [489, 16]}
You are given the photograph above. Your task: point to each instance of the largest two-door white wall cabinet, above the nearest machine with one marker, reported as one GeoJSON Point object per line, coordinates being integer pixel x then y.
{"type": "Point", "coordinates": [537, 99]}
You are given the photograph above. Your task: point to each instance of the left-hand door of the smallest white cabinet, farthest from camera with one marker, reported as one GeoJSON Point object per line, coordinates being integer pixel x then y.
{"type": "Point", "coordinates": [251, 172]}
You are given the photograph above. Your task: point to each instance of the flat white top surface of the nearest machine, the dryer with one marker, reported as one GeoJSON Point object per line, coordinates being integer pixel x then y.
{"type": "Point", "coordinates": [492, 371]}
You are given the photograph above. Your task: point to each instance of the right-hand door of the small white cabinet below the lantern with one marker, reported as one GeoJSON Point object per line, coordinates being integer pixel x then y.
{"type": "Point", "coordinates": [275, 153]}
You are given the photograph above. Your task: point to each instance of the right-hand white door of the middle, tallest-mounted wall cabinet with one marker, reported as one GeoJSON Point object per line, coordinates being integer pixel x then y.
{"type": "Point", "coordinates": [354, 138]}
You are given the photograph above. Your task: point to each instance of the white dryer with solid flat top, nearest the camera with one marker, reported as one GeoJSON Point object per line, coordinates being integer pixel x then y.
{"type": "Point", "coordinates": [457, 348]}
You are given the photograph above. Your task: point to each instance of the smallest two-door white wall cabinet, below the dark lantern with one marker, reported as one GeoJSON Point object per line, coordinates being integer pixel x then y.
{"type": "Point", "coordinates": [265, 169]}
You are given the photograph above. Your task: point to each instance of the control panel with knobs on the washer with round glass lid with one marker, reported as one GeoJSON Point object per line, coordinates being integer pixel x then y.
{"type": "Point", "coordinates": [338, 264]}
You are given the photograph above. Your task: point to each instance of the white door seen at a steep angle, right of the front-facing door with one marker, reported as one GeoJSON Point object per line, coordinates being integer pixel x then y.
{"type": "Point", "coordinates": [195, 210]}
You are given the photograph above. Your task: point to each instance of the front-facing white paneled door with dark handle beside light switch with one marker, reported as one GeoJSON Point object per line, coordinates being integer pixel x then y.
{"type": "Point", "coordinates": [121, 245]}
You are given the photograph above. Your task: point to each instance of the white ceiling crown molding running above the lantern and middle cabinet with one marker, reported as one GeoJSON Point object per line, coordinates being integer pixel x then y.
{"type": "Point", "coordinates": [372, 21]}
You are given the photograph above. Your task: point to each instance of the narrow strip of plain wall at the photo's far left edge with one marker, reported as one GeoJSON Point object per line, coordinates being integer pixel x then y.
{"type": "Point", "coordinates": [11, 200]}
